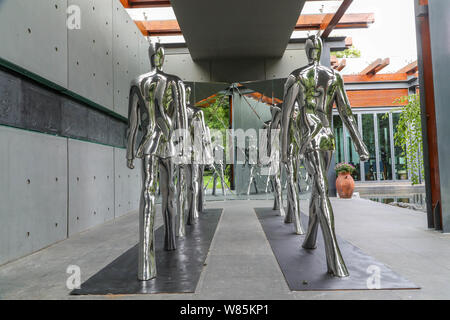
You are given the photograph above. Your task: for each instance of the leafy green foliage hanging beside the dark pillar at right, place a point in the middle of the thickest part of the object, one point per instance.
(408, 135)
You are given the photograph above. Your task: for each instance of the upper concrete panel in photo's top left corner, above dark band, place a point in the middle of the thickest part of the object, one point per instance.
(33, 35)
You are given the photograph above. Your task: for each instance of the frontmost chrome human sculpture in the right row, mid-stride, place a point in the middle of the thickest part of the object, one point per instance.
(315, 88)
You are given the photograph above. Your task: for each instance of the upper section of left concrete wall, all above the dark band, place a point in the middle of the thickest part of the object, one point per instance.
(96, 61)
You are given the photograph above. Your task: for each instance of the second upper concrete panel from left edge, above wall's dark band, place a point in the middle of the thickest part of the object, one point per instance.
(90, 56)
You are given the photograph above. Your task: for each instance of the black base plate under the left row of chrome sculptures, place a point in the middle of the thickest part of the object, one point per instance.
(178, 270)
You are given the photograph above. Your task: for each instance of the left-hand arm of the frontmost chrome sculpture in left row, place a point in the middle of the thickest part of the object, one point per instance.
(133, 124)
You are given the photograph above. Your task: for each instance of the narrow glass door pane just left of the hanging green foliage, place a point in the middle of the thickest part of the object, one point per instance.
(384, 142)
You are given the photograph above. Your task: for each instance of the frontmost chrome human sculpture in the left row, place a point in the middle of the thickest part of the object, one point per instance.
(158, 107)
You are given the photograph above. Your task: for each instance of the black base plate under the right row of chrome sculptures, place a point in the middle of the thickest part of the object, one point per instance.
(307, 269)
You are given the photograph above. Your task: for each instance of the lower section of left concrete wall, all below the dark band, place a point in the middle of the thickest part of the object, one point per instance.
(53, 187)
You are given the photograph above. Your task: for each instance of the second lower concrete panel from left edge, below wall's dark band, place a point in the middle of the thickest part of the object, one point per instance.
(91, 185)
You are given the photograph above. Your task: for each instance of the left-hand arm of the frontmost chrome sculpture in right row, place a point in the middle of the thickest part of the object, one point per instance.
(290, 95)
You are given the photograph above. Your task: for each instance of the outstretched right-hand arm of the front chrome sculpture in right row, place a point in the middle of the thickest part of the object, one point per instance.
(345, 112)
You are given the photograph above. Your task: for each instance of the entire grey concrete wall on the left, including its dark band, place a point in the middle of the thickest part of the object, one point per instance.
(51, 185)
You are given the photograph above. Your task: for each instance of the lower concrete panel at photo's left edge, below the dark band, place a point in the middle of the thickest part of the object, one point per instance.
(33, 192)
